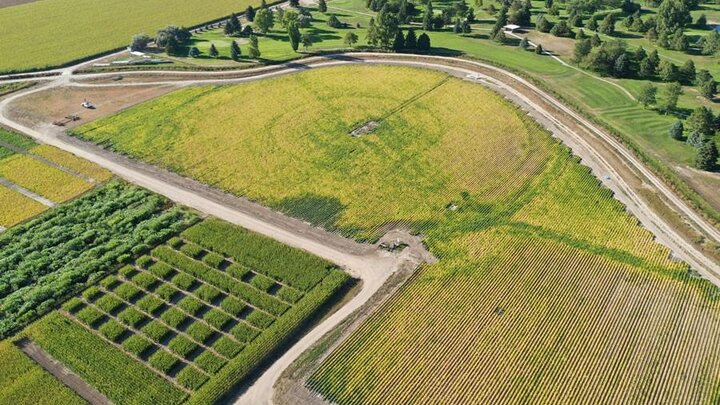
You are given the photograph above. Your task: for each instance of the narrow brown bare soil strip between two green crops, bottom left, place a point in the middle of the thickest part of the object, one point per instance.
(62, 373)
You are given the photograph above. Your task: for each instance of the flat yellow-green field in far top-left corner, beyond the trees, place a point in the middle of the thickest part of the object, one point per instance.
(75, 29)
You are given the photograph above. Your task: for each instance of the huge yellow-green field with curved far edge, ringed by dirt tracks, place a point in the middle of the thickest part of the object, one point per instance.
(546, 290)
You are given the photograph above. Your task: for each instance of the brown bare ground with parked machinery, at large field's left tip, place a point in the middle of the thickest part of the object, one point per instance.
(56, 103)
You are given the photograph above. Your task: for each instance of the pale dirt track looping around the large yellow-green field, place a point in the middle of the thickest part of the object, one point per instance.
(610, 161)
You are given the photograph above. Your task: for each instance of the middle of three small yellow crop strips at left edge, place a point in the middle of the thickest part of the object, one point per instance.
(47, 181)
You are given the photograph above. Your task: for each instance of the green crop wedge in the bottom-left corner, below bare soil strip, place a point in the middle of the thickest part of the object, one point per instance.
(25, 382)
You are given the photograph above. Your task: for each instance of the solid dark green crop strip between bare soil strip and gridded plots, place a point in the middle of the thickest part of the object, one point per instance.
(107, 368)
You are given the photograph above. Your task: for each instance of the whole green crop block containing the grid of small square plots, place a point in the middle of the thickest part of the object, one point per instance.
(190, 319)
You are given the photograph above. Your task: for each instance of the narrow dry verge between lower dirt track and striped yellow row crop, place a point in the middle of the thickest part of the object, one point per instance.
(290, 388)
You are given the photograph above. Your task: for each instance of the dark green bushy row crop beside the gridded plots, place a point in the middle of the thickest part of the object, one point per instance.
(47, 259)
